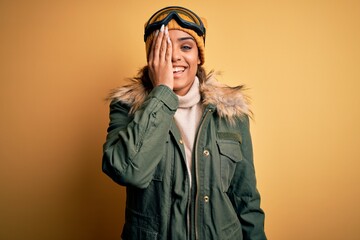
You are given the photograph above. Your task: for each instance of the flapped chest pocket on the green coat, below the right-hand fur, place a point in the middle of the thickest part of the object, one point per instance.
(230, 155)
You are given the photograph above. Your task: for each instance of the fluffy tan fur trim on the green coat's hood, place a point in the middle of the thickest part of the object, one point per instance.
(230, 102)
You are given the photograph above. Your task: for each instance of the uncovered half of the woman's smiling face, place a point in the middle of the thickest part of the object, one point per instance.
(185, 60)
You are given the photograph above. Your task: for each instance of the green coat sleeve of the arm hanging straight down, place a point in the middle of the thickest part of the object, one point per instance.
(243, 191)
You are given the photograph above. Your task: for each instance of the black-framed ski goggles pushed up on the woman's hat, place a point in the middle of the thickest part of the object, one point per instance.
(192, 22)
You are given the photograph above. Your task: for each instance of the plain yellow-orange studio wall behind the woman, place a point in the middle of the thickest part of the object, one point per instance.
(58, 60)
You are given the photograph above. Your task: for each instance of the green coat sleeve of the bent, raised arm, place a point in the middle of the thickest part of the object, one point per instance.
(134, 145)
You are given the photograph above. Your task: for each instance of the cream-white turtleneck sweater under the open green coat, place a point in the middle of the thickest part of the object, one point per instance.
(187, 118)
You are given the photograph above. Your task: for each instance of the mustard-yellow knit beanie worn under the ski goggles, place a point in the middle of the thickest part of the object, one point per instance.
(173, 25)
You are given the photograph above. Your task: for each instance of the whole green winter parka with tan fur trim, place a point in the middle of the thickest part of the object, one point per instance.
(144, 152)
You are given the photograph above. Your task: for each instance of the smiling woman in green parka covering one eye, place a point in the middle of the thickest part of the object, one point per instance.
(180, 143)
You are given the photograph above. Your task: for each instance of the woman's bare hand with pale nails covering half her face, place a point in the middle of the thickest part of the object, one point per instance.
(160, 65)
